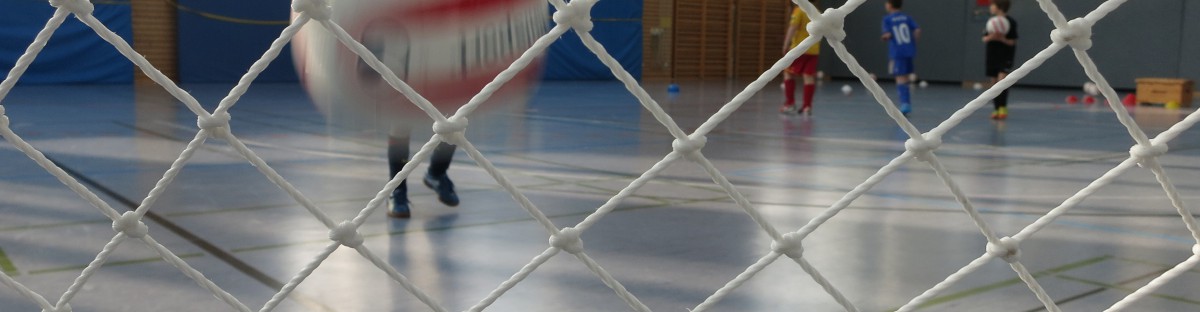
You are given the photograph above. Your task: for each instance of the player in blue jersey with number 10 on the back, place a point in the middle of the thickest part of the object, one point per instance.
(902, 33)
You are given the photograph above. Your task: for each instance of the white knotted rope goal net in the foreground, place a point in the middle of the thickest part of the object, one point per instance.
(577, 16)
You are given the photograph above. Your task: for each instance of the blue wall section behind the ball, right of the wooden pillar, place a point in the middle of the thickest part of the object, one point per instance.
(219, 40)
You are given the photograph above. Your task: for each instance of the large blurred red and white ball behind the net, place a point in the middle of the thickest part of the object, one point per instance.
(446, 50)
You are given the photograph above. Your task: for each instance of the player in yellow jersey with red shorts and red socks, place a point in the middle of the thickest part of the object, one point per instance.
(805, 67)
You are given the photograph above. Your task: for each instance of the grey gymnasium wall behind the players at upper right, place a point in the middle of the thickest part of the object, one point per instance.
(1141, 39)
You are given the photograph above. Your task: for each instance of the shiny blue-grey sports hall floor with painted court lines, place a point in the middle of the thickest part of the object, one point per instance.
(575, 146)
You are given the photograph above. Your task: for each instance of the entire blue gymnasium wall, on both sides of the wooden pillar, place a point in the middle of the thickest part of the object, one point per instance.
(219, 40)
